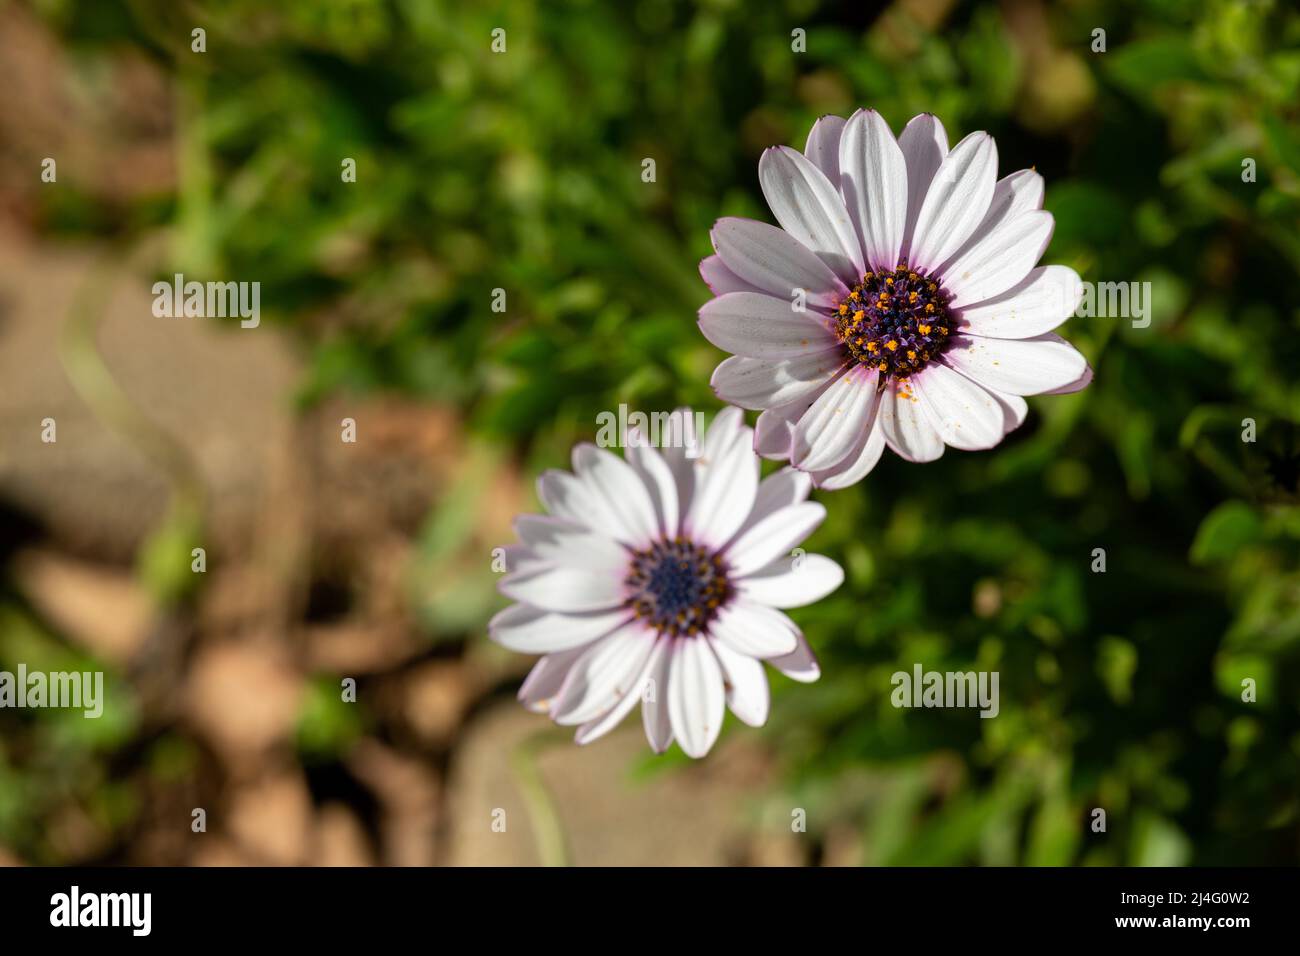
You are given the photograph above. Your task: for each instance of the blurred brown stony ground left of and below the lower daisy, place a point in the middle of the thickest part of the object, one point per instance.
(309, 573)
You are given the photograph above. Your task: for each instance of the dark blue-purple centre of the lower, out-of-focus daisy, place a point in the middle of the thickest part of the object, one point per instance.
(677, 587)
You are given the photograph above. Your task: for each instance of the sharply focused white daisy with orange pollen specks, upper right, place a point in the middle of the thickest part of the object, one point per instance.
(898, 305)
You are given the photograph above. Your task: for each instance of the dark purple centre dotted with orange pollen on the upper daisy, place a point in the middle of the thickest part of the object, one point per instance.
(895, 322)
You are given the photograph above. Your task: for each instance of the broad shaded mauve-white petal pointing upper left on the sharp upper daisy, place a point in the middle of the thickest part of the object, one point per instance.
(774, 262)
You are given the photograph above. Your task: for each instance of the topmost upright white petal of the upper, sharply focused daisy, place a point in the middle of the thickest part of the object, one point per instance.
(874, 181)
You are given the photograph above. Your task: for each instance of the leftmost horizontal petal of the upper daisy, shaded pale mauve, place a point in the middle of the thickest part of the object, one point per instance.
(762, 327)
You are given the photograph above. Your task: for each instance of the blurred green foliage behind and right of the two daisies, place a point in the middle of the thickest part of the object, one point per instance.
(522, 171)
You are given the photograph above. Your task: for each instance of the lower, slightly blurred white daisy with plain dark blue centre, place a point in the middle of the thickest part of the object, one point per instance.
(658, 581)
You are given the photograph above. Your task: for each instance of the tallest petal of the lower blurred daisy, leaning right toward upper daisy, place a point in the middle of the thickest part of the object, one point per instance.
(726, 485)
